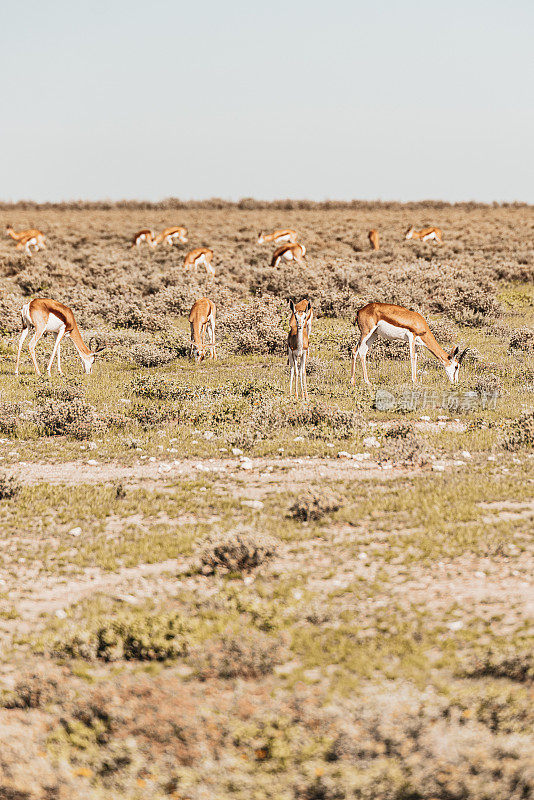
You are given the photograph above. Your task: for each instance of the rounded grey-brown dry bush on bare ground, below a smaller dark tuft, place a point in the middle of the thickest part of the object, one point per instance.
(235, 552)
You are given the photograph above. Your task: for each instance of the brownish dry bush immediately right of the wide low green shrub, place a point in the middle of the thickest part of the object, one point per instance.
(245, 654)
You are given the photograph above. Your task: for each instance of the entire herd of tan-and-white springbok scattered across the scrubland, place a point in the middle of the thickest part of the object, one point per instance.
(374, 320)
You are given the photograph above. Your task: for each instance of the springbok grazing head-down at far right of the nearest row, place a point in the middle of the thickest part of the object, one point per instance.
(398, 323)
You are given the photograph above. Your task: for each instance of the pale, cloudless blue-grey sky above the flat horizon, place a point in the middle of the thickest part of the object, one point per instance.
(378, 100)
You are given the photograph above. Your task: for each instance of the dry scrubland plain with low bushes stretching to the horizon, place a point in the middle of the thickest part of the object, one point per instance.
(209, 590)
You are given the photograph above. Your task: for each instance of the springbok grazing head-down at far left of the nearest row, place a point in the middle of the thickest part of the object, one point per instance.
(45, 315)
